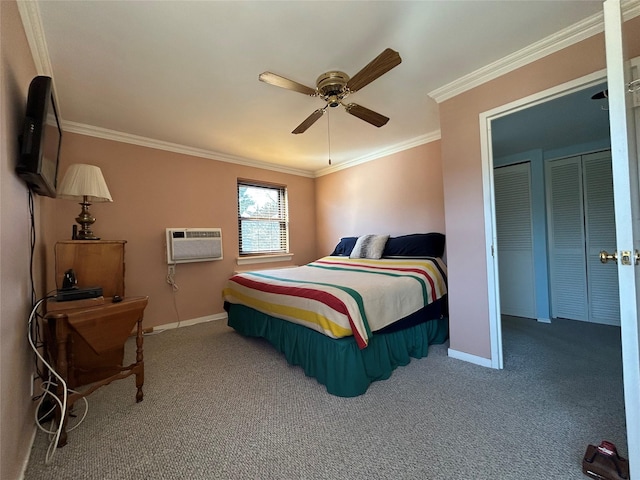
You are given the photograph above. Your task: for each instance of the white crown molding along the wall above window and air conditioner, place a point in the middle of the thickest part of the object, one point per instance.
(106, 134)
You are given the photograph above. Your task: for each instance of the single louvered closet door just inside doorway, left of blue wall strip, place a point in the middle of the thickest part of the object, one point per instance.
(512, 186)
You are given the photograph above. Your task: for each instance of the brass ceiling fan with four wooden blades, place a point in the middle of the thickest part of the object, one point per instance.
(334, 86)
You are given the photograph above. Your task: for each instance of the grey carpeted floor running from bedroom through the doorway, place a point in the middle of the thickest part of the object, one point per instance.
(220, 406)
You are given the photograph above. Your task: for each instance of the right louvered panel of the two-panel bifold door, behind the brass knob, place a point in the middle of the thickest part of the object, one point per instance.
(602, 279)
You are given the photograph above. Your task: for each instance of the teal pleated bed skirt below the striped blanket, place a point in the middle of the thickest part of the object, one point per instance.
(339, 364)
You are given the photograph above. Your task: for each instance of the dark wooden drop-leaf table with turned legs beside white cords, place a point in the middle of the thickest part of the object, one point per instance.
(86, 345)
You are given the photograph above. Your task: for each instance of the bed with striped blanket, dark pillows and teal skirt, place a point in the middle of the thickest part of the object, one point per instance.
(352, 317)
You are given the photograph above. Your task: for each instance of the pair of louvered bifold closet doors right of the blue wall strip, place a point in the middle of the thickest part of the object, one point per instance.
(580, 219)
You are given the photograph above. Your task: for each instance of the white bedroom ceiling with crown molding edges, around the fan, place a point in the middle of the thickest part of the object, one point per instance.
(184, 75)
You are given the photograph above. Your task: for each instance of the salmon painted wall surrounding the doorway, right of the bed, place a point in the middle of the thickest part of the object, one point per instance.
(462, 176)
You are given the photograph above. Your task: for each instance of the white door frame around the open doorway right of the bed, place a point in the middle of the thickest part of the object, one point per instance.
(493, 282)
